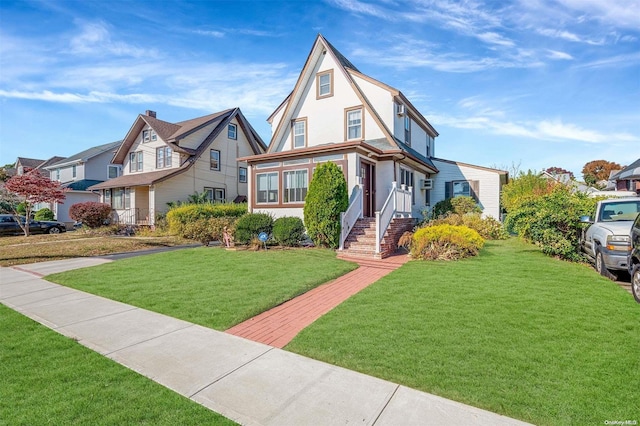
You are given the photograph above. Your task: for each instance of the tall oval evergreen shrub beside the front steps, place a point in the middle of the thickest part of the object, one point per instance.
(326, 199)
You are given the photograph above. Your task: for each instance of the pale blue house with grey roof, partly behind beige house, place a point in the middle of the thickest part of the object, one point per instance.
(79, 172)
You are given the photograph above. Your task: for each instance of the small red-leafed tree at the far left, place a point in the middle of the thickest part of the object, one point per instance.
(34, 188)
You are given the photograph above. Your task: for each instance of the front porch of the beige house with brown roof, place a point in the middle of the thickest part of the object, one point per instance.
(131, 206)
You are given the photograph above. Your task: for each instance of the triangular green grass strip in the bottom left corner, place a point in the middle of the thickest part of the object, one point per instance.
(46, 378)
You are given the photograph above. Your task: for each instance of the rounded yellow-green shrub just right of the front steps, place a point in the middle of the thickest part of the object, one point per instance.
(445, 242)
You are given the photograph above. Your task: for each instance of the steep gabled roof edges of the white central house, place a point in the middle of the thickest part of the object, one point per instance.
(348, 70)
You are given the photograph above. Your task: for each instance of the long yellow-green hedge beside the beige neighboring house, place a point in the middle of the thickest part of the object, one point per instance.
(178, 217)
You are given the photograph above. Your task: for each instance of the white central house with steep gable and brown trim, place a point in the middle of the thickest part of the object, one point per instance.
(383, 144)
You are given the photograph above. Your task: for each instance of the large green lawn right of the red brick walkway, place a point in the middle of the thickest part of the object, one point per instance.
(511, 331)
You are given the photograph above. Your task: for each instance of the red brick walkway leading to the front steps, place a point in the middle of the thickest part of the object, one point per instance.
(278, 326)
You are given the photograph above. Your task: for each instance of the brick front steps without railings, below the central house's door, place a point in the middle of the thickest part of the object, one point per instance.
(361, 242)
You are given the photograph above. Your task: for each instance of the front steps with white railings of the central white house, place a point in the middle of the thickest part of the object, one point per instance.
(375, 234)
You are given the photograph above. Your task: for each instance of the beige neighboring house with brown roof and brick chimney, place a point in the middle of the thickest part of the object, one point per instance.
(166, 162)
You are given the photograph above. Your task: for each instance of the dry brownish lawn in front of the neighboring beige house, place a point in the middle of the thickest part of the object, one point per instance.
(42, 248)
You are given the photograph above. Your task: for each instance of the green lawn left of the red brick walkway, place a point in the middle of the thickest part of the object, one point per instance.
(209, 286)
